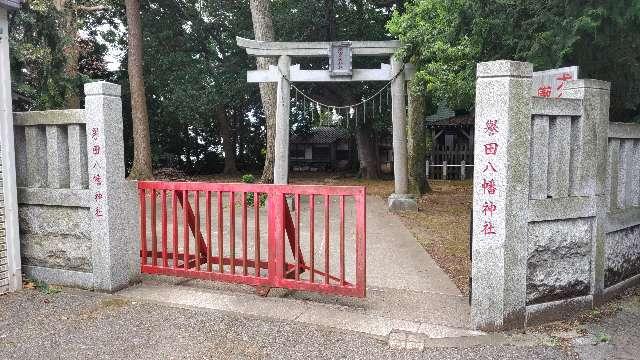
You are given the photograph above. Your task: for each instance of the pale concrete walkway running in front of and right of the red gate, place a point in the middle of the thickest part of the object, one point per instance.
(406, 292)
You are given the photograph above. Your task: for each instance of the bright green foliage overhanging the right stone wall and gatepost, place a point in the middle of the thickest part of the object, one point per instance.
(446, 38)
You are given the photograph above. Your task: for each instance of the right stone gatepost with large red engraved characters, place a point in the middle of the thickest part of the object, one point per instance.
(500, 195)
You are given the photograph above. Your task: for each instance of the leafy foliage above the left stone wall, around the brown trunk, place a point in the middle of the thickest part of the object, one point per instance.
(37, 58)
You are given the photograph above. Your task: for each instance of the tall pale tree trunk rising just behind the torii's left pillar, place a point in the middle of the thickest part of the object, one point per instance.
(263, 30)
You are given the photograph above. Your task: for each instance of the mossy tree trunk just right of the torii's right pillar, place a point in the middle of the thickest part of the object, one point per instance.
(416, 144)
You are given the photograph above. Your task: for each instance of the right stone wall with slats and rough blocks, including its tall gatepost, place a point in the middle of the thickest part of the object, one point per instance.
(557, 204)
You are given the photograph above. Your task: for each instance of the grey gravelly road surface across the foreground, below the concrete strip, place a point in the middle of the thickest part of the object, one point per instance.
(77, 324)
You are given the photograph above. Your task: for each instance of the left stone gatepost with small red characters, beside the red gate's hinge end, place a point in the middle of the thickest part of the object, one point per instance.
(113, 208)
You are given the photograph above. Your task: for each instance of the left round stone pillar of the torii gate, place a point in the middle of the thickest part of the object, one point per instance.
(281, 163)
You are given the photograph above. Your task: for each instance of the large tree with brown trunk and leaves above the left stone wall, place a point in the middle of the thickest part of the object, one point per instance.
(55, 49)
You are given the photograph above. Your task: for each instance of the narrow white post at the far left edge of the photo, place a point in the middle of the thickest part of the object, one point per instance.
(9, 203)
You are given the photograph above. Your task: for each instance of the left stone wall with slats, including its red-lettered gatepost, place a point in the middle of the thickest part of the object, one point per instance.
(77, 212)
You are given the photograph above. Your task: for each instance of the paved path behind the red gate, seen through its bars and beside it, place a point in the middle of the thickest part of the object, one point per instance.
(394, 258)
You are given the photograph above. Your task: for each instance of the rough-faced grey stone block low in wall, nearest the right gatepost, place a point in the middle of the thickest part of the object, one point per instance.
(559, 262)
